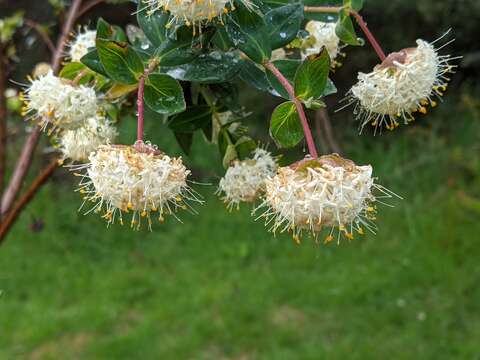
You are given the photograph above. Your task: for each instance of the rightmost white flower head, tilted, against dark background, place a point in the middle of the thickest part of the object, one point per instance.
(404, 83)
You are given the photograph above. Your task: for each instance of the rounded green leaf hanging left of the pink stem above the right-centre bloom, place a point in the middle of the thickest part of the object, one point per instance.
(285, 126)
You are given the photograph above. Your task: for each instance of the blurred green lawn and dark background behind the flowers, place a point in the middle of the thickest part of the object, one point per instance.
(218, 286)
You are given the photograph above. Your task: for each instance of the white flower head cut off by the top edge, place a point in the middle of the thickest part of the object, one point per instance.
(192, 11)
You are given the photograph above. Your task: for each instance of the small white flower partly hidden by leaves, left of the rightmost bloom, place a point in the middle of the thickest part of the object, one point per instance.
(322, 35)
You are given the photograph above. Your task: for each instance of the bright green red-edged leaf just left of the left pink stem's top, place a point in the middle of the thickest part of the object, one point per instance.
(120, 61)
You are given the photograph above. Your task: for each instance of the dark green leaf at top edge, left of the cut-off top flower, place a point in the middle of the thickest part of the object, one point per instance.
(153, 25)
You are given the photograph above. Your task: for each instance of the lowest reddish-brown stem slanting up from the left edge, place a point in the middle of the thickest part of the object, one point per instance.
(24, 200)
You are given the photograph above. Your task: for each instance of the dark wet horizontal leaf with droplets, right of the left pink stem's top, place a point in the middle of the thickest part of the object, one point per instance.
(208, 68)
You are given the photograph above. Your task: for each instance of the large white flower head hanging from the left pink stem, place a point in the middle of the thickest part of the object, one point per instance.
(137, 179)
